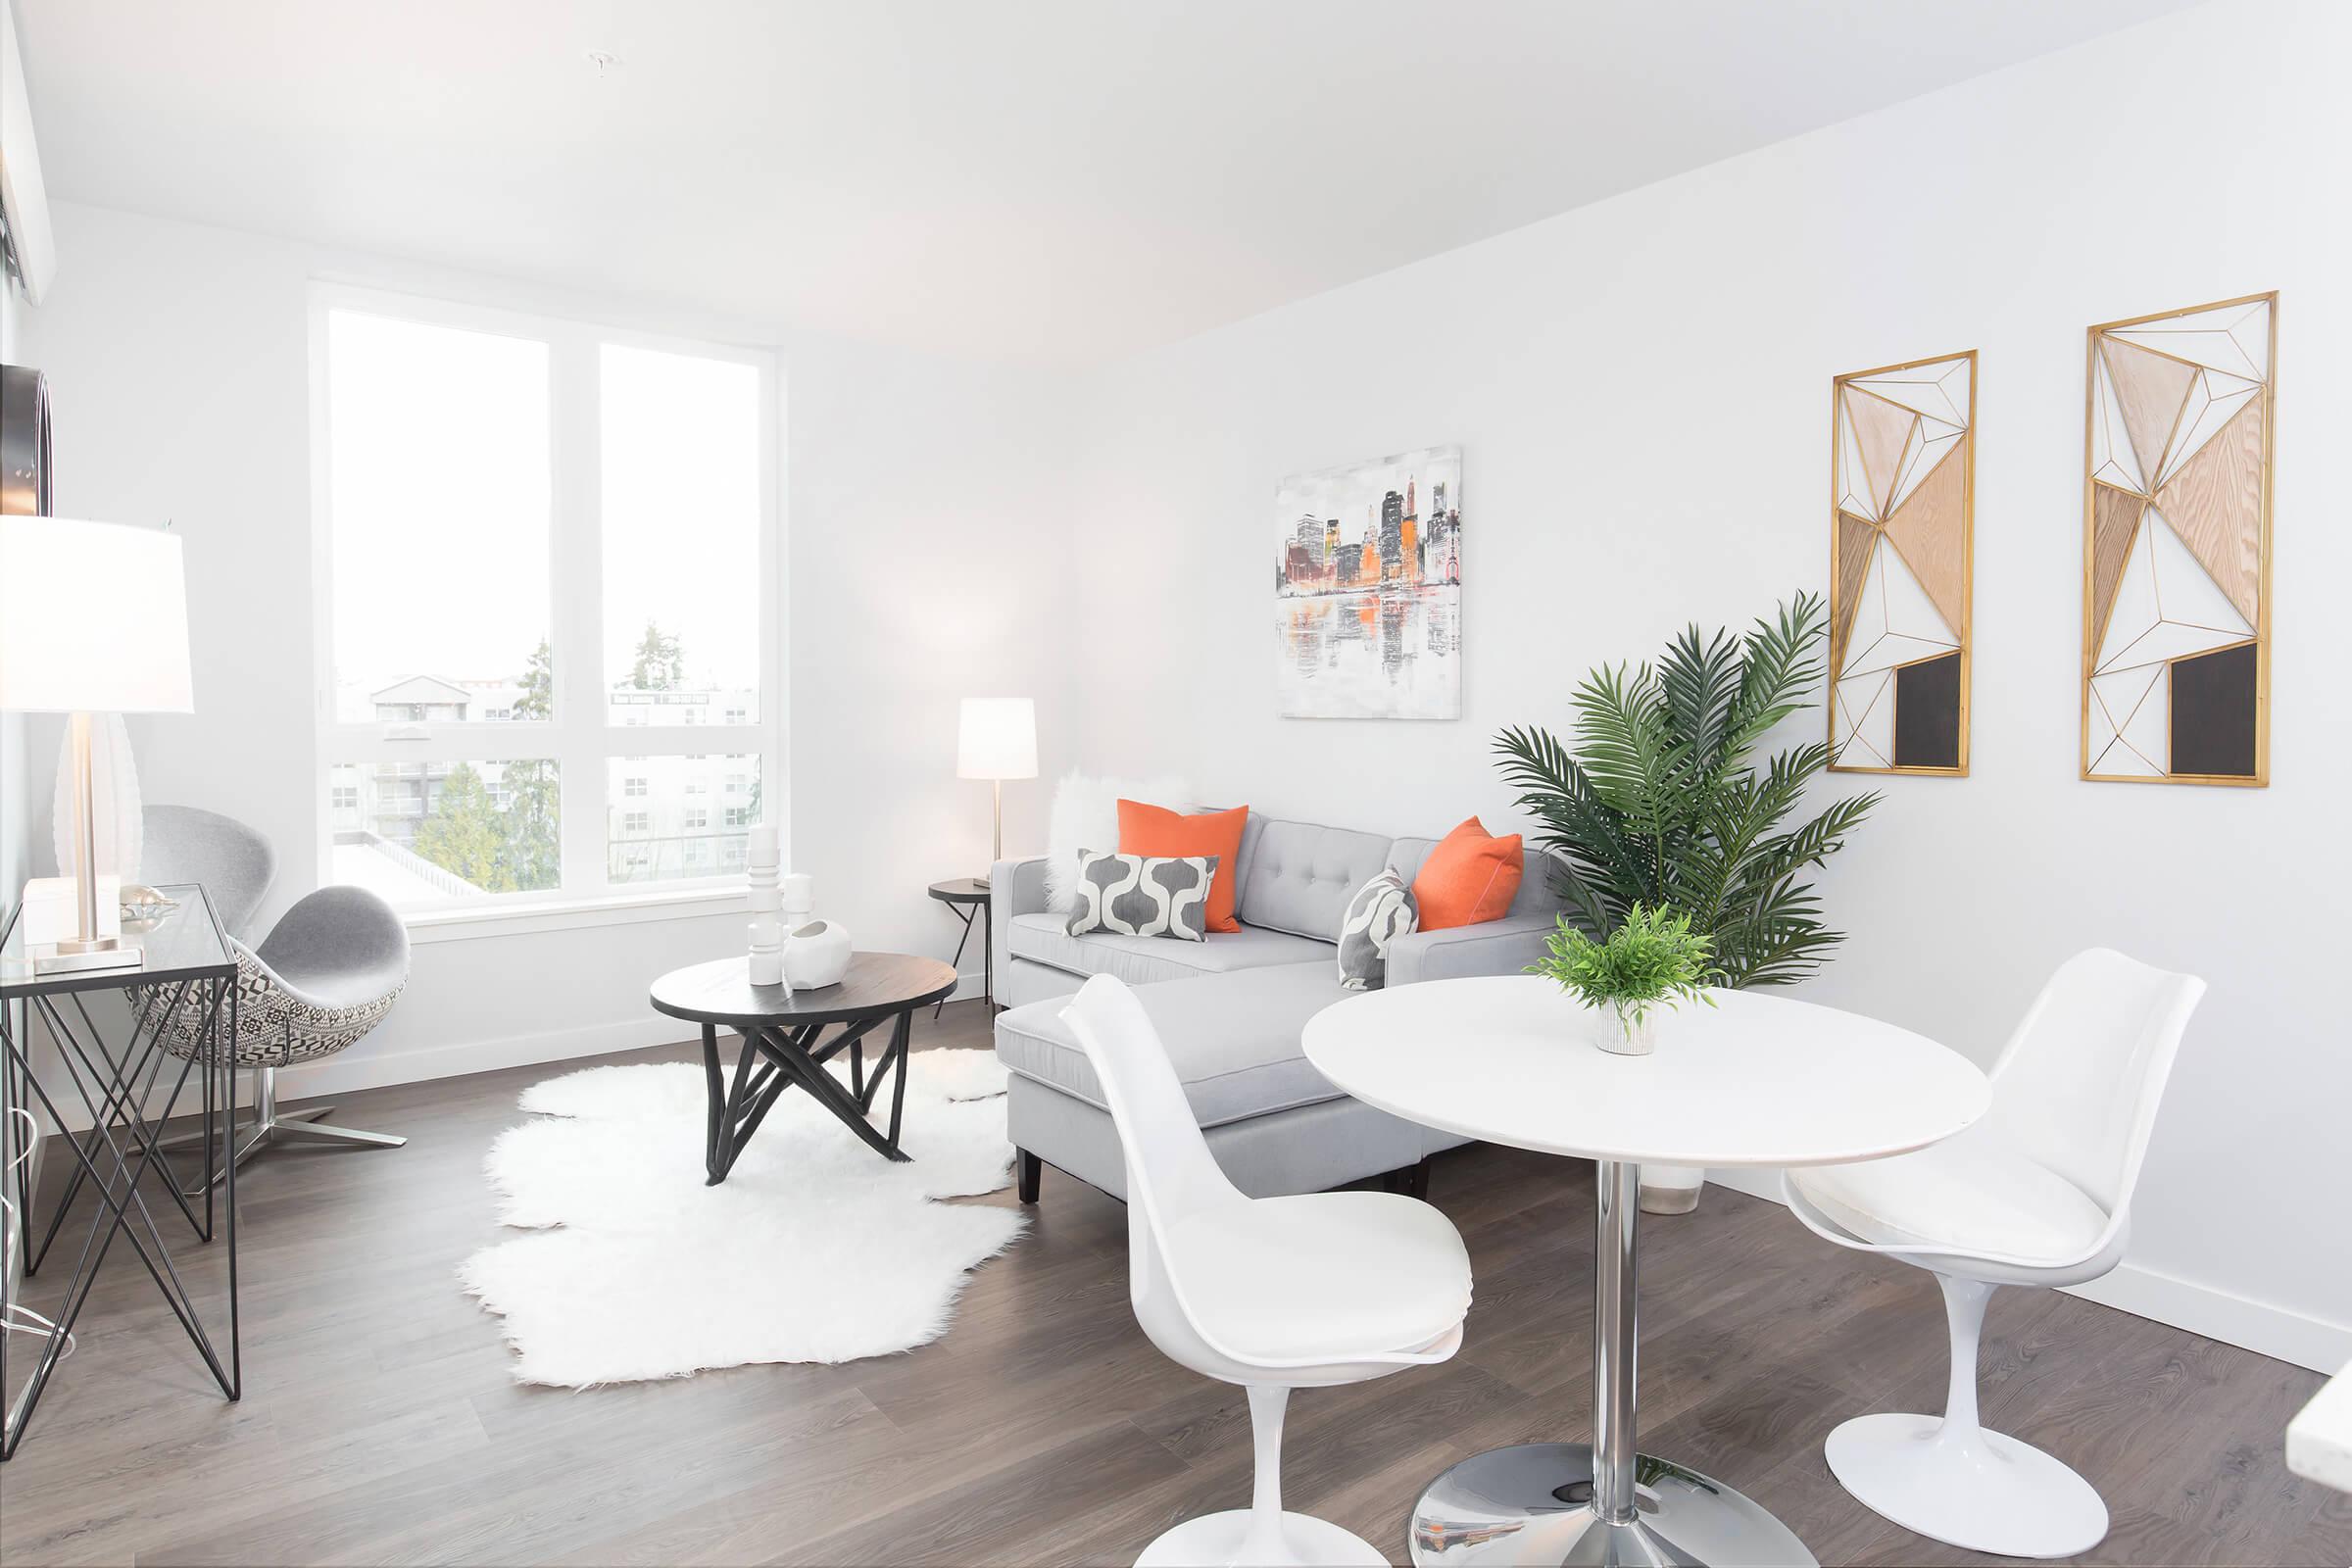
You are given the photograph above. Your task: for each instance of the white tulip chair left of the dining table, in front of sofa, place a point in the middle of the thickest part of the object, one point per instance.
(1269, 1294)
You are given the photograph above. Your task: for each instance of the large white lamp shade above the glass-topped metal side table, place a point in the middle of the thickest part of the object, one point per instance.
(93, 619)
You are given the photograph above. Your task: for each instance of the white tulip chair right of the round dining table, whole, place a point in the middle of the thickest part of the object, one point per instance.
(2033, 1195)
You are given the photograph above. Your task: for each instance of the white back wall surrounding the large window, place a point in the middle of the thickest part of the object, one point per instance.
(921, 518)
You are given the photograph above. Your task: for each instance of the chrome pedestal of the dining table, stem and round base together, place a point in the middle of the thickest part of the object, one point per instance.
(1603, 1503)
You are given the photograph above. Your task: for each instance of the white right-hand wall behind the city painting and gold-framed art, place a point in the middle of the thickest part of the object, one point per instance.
(1643, 398)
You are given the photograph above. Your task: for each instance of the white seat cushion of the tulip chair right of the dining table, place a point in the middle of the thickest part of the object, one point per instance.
(1972, 1193)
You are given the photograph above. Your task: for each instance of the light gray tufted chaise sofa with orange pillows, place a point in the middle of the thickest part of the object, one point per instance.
(1231, 1012)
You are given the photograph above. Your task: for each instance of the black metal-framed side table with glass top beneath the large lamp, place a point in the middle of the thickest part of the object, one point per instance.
(185, 965)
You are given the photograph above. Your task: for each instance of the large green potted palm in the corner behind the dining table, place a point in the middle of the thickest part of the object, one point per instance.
(1662, 800)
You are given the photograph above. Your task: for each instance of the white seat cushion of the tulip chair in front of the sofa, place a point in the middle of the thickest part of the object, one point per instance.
(1321, 1278)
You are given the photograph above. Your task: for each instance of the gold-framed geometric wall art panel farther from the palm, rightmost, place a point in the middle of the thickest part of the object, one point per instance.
(2177, 547)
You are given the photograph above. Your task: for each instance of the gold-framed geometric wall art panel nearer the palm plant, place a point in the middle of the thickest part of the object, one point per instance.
(1902, 561)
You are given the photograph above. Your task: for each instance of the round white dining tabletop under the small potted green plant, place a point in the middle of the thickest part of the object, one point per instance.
(1746, 1083)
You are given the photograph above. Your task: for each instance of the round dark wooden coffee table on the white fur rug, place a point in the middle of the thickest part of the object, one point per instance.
(784, 1043)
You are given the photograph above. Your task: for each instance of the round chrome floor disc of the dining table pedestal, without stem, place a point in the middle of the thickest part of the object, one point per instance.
(1535, 1506)
